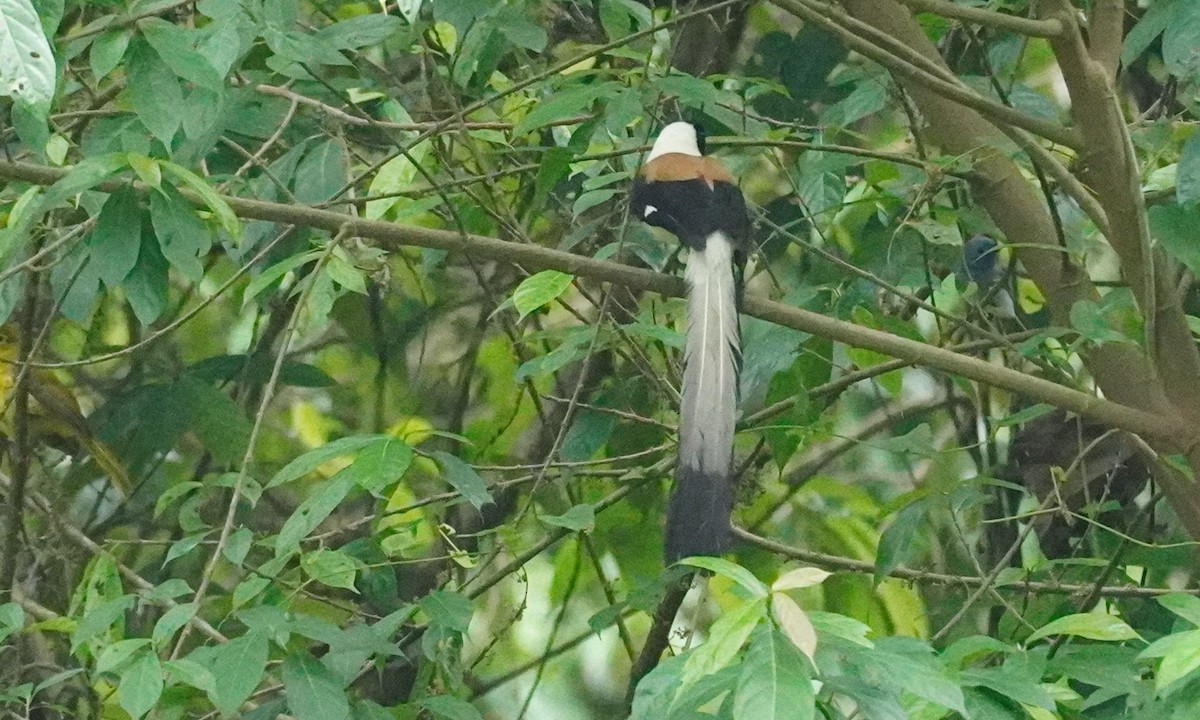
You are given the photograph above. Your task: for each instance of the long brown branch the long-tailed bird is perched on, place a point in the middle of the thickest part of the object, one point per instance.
(1163, 428)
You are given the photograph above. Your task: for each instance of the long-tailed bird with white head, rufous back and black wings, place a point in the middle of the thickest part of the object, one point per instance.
(694, 197)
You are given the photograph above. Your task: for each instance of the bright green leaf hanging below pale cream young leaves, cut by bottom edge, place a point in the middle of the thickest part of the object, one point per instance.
(775, 683)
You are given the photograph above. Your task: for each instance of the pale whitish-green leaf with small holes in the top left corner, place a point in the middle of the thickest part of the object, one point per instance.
(28, 71)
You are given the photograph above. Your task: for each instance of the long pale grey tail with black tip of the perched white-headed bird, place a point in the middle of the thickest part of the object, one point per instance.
(699, 514)
